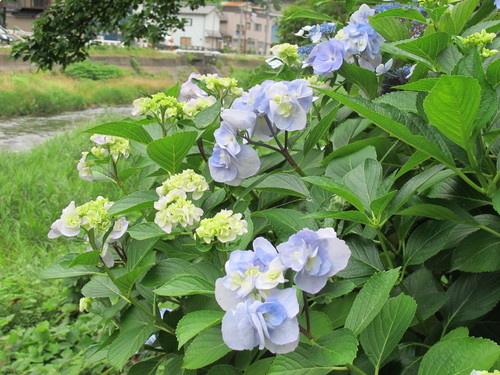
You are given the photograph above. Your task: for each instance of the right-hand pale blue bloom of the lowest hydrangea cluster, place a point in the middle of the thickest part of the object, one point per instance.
(315, 256)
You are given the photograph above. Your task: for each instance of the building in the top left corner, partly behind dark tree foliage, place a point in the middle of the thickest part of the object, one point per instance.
(20, 14)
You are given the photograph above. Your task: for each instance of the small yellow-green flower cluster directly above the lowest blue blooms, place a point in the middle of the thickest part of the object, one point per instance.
(225, 226)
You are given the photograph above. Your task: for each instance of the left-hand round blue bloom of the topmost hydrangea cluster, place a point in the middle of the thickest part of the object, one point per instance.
(327, 57)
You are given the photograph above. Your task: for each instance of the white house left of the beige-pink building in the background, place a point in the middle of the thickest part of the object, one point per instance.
(202, 29)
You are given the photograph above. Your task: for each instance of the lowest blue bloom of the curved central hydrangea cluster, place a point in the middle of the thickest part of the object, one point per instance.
(230, 168)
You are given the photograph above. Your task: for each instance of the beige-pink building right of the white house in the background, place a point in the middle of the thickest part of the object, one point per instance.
(248, 28)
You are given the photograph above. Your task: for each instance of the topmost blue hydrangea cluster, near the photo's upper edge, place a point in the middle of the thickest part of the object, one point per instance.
(356, 42)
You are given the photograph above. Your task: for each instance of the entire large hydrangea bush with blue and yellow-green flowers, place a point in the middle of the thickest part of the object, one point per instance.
(340, 215)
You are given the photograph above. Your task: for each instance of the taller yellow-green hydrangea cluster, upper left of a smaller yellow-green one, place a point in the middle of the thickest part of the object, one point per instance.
(173, 206)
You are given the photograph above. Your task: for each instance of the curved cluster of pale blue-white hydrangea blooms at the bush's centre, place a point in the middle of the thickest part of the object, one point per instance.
(261, 113)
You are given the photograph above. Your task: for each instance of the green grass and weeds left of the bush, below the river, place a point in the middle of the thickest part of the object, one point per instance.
(41, 330)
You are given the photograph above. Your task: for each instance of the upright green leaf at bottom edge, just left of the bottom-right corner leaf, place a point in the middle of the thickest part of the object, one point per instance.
(380, 338)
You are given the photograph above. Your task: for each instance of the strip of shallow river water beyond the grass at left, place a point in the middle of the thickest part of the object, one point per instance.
(24, 132)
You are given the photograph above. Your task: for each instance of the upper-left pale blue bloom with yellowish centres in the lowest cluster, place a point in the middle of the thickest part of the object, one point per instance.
(250, 274)
